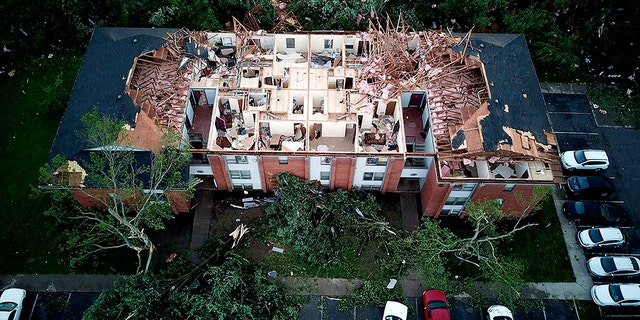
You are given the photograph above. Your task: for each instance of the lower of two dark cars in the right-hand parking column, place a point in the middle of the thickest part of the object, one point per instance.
(591, 211)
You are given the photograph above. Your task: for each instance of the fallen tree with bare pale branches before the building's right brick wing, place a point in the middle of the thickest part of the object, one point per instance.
(432, 249)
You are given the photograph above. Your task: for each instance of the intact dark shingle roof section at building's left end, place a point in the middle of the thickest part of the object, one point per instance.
(101, 82)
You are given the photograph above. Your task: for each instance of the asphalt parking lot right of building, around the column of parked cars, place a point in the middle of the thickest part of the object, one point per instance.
(575, 124)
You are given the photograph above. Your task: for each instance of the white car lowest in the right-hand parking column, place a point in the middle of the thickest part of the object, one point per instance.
(616, 294)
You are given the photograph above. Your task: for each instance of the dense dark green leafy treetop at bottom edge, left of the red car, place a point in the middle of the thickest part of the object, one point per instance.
(223, 286)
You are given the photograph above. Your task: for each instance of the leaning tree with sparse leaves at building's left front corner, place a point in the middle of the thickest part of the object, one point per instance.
(127, 187)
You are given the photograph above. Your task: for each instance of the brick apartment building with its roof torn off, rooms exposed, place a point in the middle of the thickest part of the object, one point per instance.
(452, 117)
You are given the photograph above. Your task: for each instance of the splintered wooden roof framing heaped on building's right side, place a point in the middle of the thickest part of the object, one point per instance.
(401, 59)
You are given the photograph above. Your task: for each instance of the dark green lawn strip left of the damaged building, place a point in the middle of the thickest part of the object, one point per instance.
(28, 237)
